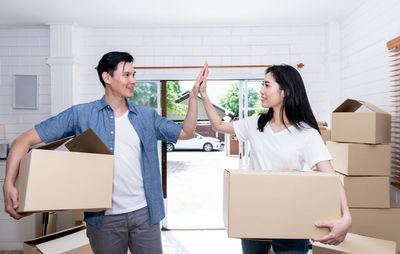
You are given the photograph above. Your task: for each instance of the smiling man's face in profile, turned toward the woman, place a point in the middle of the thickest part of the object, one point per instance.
(123, 80)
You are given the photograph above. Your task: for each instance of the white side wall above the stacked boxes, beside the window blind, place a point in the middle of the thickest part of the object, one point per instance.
(364, 57)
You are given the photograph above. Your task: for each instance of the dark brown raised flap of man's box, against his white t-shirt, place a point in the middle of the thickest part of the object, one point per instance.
(88, 142)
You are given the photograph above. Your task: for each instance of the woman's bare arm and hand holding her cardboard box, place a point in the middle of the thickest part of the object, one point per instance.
(338, 228)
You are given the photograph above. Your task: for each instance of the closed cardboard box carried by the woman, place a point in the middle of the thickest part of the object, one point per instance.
(267, 205)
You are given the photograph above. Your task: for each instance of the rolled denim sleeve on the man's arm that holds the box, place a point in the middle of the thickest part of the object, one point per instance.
(57, 127)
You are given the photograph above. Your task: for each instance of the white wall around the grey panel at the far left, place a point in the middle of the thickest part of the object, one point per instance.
(22, 51)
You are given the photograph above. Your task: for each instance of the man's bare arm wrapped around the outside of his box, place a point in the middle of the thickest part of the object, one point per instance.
(19, 148)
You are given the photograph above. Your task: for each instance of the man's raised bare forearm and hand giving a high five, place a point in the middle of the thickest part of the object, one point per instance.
(189, 124)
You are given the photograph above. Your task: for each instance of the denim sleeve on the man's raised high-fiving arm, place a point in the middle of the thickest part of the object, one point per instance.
(166, 130)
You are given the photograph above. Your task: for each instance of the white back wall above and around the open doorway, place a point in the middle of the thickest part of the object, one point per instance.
(183, 46)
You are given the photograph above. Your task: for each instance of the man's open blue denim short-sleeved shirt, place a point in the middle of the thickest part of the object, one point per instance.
(99, 116)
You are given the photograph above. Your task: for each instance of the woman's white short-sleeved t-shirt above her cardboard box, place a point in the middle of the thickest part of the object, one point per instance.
(286, 150)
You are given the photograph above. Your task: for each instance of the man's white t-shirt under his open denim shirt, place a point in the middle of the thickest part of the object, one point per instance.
(128, 192)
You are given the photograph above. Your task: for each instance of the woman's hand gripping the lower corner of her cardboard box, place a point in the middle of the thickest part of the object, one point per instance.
(338, 230)
